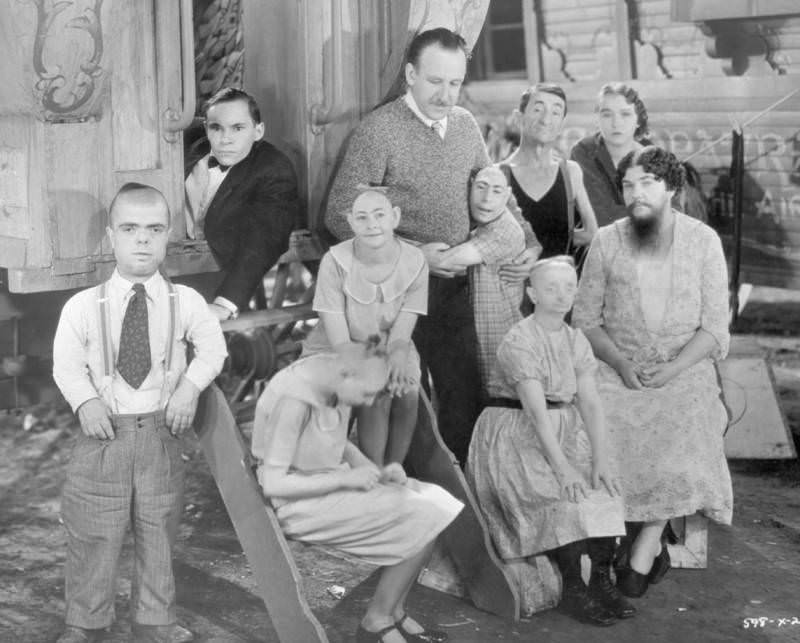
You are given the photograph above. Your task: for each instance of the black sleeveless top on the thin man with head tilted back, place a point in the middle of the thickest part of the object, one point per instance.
(547, 216)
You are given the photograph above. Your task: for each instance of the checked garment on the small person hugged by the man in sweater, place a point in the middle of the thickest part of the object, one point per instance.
(495, 304)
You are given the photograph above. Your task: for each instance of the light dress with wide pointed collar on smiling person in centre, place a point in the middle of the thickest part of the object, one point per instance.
(369, 308)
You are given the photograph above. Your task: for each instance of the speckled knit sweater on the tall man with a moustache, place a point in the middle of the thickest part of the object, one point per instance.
(426, 176)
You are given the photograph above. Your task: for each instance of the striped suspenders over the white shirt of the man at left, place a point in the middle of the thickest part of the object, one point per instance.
(109, 363)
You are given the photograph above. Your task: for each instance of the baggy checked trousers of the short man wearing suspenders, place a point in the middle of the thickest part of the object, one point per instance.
(134, 480)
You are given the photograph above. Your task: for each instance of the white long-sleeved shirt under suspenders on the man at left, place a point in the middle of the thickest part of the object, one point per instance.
(78, 349)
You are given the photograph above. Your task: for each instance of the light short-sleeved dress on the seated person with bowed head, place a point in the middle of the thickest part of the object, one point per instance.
(383, 526)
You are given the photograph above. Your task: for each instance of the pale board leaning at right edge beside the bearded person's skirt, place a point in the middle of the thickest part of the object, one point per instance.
(758, 426)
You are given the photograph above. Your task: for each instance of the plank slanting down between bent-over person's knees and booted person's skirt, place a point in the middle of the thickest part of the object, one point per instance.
(466, 540)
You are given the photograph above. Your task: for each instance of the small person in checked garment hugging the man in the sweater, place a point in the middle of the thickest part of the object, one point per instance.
(496, 240)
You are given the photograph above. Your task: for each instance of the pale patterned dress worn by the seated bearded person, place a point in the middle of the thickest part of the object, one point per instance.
(668, 440)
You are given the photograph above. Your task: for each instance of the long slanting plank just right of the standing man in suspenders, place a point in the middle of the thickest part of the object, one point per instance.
(279, 581)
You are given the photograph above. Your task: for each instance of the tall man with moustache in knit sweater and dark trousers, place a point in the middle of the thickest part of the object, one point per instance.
(423, 148)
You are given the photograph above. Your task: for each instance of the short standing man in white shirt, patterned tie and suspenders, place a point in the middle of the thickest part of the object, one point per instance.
(119, 358)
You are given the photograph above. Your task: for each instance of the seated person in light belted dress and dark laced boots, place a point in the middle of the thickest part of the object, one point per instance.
(538, 460)
